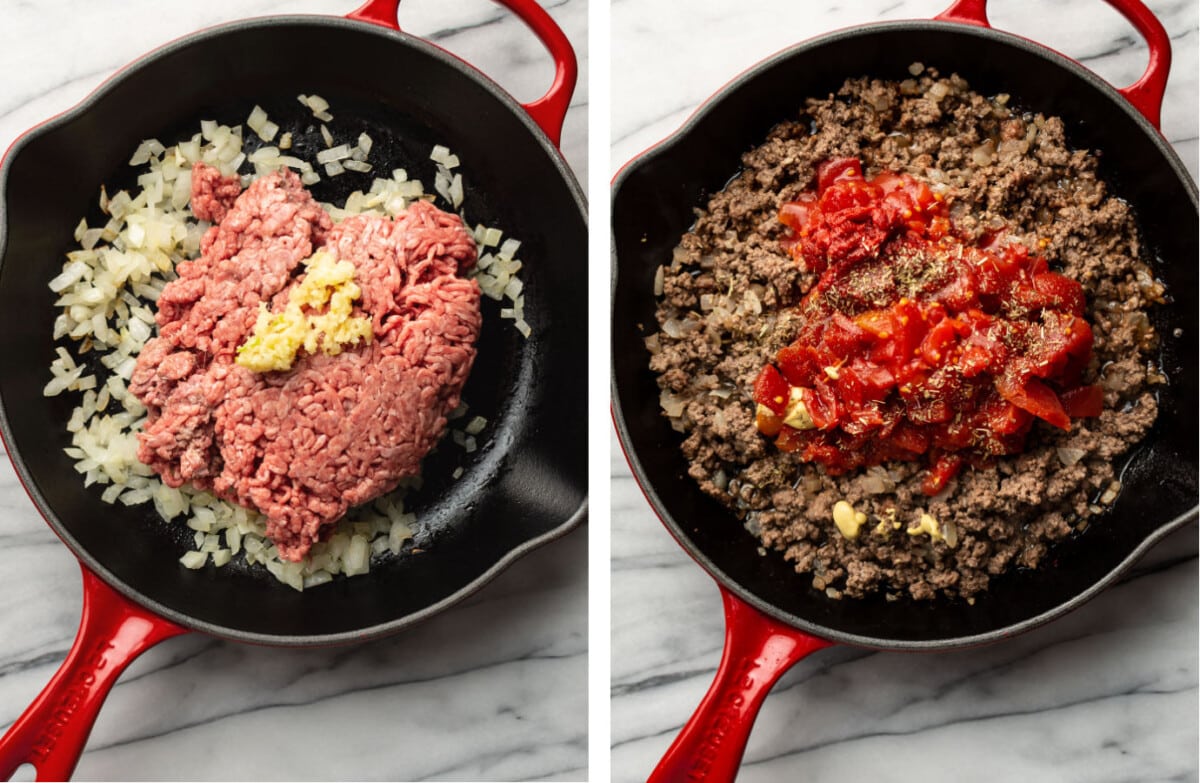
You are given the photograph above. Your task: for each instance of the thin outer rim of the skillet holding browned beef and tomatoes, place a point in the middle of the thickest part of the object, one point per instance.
(679, 531)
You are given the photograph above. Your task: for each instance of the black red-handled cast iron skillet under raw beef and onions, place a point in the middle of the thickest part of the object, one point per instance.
(526, 486)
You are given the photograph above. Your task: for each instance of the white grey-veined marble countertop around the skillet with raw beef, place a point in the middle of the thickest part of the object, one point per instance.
(493, 690)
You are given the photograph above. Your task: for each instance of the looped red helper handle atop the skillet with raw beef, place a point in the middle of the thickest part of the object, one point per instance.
(550, 110)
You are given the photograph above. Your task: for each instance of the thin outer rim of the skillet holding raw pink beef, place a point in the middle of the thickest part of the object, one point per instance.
(202, 38)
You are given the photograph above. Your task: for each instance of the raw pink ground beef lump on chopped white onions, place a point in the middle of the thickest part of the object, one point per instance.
(334, 432)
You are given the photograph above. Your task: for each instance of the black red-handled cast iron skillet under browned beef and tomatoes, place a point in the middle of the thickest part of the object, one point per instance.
(773, 617)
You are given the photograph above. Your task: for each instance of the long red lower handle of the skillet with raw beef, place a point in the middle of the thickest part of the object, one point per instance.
(52, 733)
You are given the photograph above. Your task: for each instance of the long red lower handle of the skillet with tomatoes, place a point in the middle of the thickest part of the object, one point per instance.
(758, 651)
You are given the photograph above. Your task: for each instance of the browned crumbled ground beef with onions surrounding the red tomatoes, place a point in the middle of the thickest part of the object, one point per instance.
(727, 306)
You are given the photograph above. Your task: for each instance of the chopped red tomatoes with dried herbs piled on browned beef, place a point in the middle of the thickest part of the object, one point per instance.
(916, 345)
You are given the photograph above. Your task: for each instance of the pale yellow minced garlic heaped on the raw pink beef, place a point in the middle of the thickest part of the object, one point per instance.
(278, 338)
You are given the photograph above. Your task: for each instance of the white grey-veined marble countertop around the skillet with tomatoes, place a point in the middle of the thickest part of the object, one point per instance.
(1108, 694)
